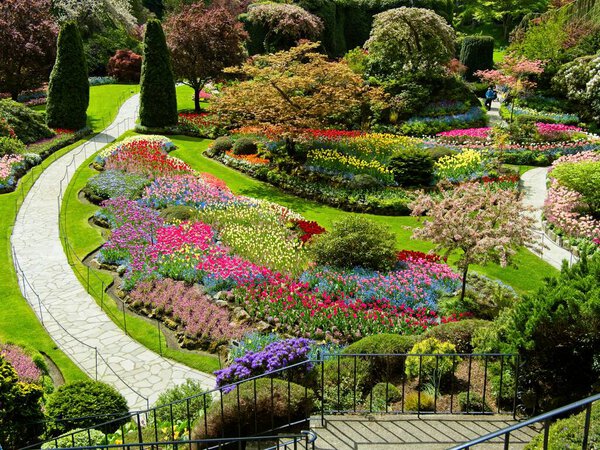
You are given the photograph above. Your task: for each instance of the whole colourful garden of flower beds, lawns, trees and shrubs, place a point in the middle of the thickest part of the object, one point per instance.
(315, 207)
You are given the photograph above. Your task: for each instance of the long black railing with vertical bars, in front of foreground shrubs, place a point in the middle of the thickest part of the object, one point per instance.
(285, 399)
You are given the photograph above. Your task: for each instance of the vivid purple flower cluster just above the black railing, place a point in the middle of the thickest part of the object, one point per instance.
(273, 357)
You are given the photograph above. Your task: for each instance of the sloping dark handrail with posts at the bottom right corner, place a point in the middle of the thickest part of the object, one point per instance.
(545, 418)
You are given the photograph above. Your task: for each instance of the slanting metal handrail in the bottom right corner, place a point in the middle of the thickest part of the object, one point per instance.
(545, 420)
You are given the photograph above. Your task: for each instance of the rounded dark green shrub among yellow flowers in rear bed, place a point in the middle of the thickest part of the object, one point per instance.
(412, 167)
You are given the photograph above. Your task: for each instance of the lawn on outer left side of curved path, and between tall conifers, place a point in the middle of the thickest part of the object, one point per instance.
(18, 322)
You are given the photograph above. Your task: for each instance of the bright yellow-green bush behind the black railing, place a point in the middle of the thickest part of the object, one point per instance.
(431, 368)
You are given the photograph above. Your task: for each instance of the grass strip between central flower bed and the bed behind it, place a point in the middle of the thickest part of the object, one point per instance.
(527, 278)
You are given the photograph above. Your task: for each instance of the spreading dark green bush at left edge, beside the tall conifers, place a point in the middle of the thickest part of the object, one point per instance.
(28, 125)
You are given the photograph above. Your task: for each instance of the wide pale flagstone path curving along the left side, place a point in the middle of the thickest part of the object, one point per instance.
(71, 316)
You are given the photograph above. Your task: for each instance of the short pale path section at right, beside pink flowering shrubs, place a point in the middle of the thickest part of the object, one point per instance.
(534, 187)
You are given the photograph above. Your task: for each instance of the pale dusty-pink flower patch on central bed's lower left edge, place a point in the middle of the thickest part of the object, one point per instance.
(197, 314)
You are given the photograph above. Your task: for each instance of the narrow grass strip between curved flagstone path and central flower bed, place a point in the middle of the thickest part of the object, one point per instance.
(83, 239)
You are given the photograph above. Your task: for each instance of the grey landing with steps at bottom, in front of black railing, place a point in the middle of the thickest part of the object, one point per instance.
(429, 432)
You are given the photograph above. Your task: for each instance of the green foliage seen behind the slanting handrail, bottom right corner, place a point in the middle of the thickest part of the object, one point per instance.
(568, 433)
